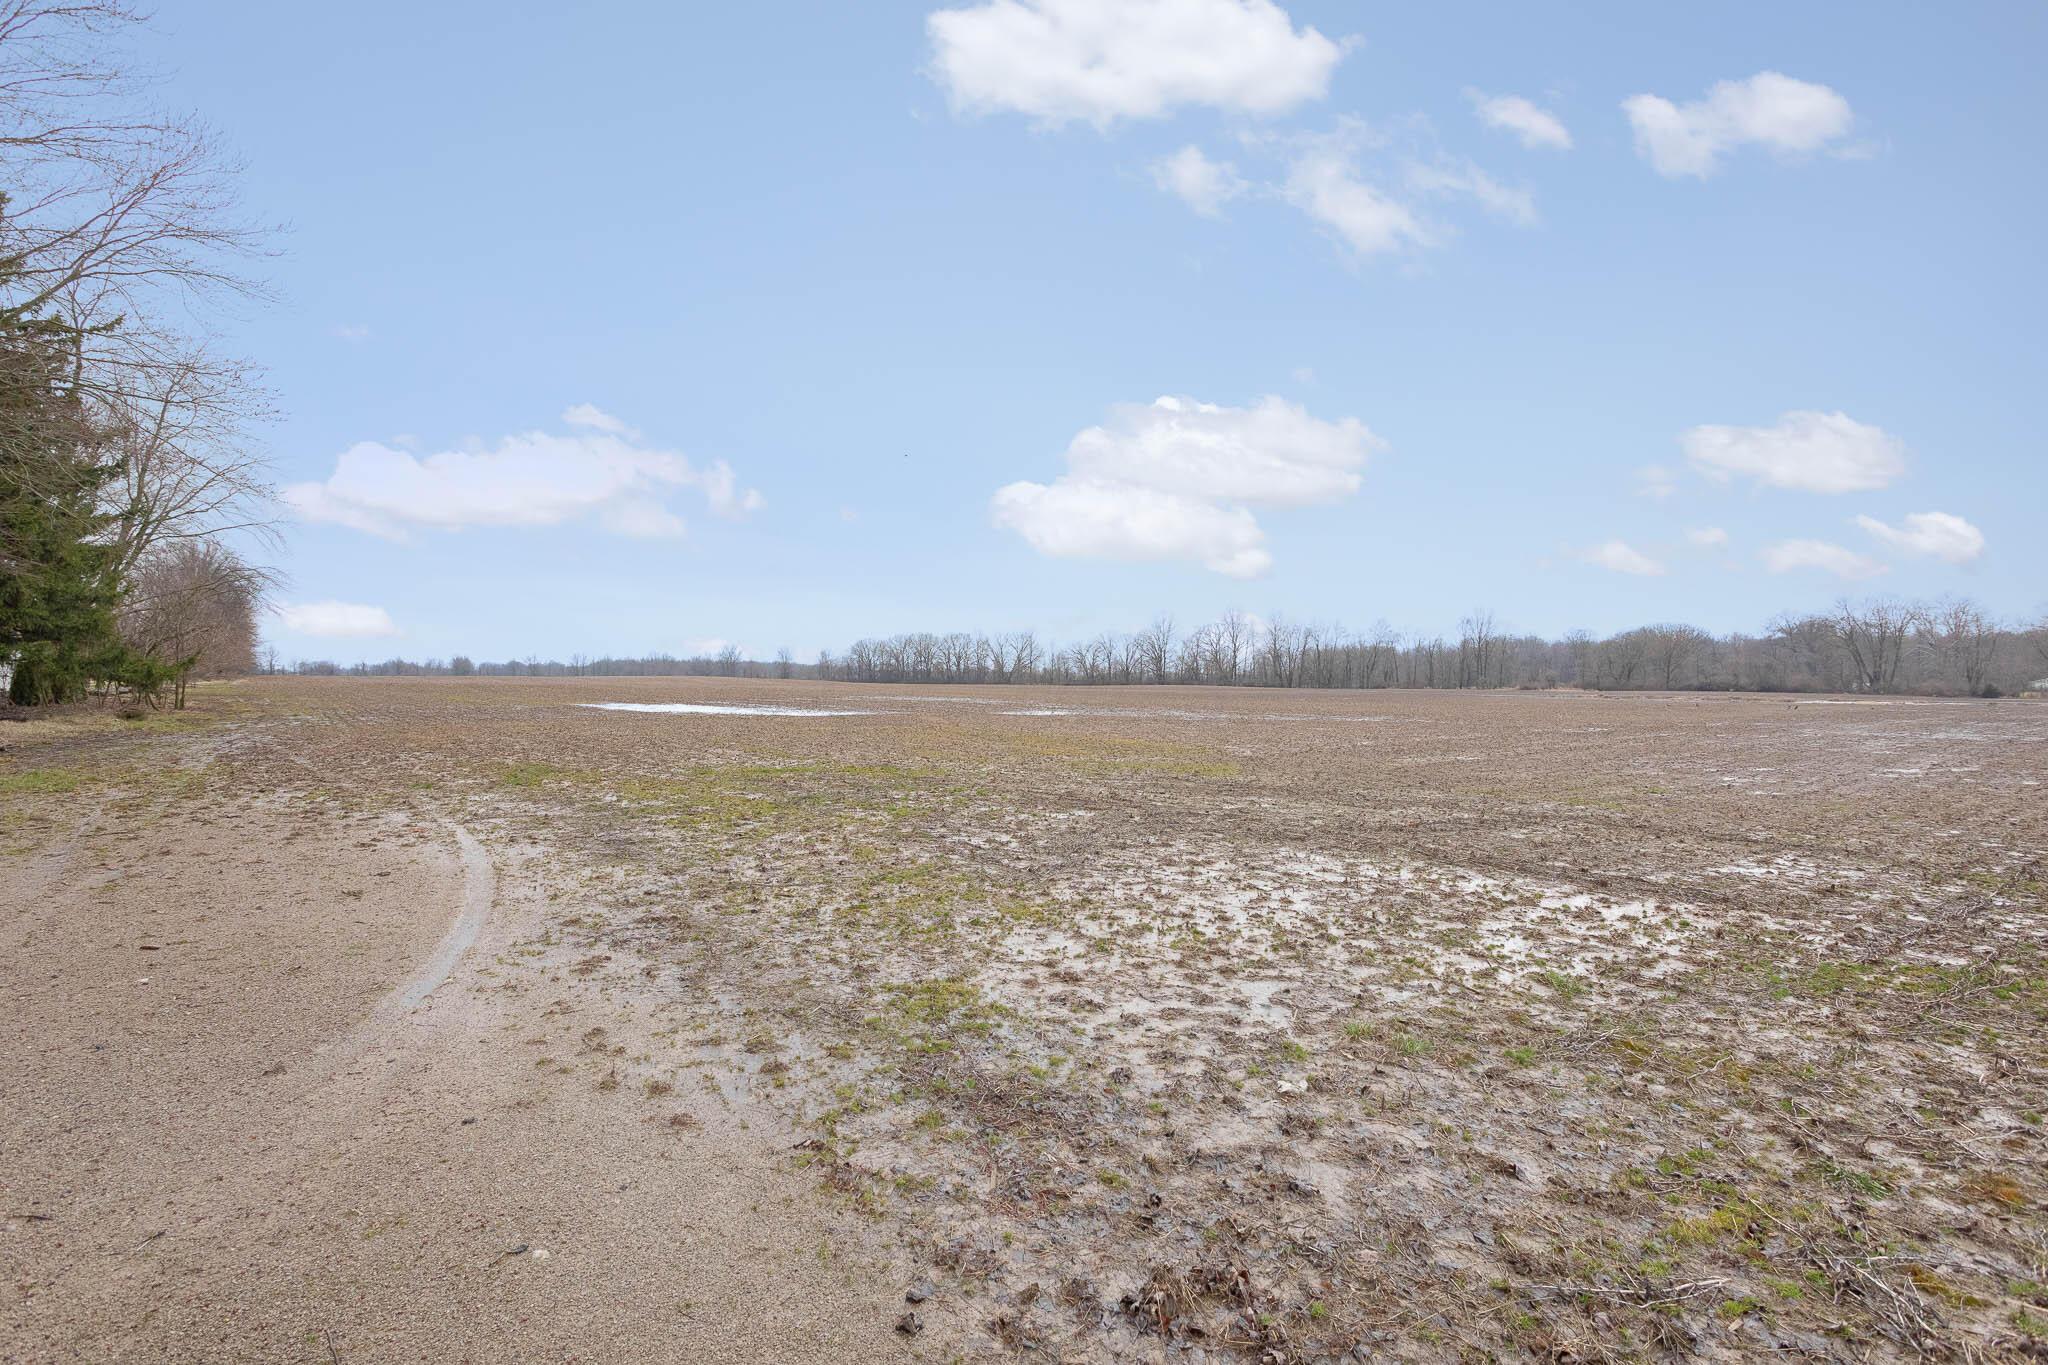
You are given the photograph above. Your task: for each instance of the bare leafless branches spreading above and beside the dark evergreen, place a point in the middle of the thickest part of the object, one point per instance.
(120, 228)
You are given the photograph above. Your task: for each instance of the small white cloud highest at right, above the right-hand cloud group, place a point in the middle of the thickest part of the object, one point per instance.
(1768, 109)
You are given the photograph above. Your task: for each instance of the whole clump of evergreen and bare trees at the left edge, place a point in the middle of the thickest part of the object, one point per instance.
(124, 455)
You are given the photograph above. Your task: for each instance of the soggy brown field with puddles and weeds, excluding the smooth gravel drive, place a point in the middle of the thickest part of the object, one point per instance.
(1222, 1024)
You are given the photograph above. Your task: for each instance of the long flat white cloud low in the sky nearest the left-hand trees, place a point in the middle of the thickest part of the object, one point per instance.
(599, 472)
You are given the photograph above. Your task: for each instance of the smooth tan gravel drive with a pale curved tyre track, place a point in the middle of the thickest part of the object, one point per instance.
(265, 1104)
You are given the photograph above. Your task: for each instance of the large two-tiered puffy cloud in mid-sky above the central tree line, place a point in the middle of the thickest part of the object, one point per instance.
(1179, 480)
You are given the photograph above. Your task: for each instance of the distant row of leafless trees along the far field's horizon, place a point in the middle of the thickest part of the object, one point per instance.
(1947, 648)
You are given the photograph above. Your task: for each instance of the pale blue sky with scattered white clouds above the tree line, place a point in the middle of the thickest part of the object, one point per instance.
(792, 324)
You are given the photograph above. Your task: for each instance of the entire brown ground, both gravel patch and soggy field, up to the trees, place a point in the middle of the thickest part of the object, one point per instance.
(1115, 1024)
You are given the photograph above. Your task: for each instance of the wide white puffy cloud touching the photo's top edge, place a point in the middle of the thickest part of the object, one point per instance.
(1107, 60)
